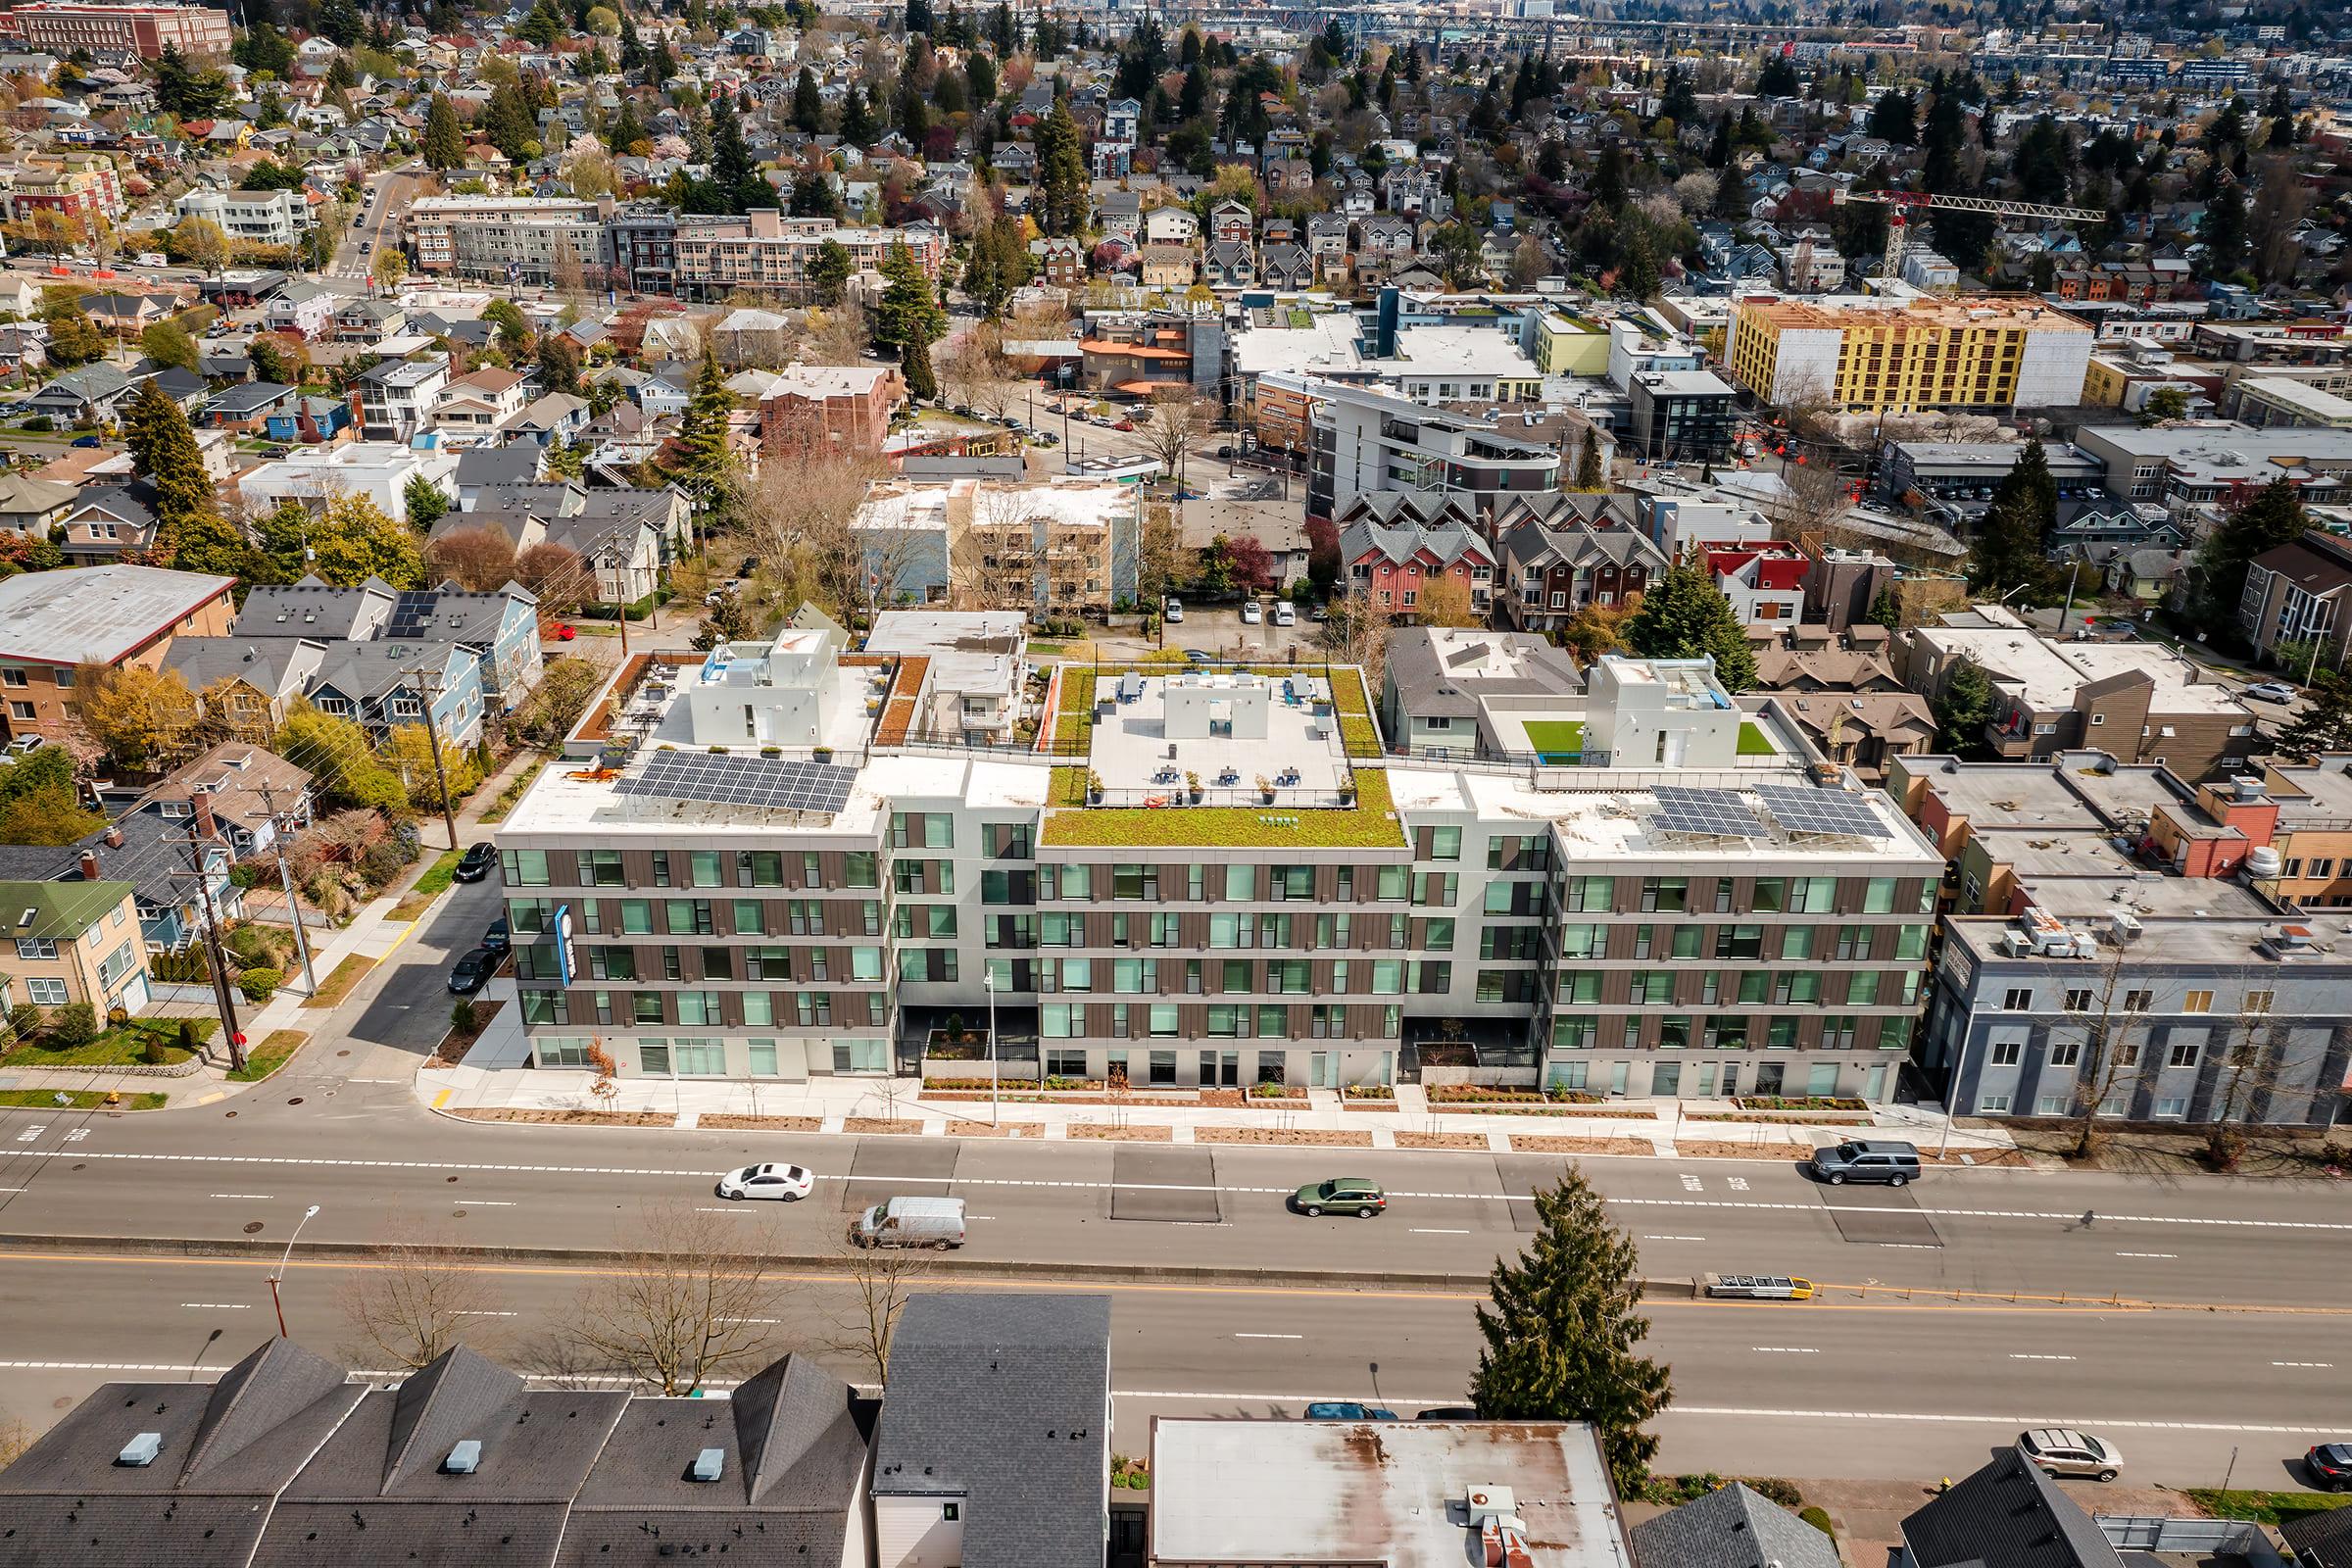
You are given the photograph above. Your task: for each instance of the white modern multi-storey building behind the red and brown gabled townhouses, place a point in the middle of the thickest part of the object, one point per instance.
(1368, 441)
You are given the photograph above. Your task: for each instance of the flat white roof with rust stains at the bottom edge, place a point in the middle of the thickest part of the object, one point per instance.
(1396, 1494)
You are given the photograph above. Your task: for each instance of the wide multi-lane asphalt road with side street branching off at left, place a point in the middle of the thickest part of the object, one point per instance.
(1859, 1386)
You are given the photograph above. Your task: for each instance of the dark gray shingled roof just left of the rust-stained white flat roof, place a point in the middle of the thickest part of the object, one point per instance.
(1003, 1400)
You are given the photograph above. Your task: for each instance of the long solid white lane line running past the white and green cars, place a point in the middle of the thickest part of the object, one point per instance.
(1102, 1186)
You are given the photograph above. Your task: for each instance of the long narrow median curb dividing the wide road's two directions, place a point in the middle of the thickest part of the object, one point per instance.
(831, 1264)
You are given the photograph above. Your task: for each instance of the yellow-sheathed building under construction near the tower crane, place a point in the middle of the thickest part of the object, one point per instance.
(1920, 354)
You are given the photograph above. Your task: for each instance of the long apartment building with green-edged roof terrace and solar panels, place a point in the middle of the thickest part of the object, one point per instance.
(1210, 878)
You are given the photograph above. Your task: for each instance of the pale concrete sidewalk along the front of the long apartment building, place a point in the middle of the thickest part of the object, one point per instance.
(497, 1078)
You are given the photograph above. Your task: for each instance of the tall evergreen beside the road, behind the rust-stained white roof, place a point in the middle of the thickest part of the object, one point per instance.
(1563, 1332)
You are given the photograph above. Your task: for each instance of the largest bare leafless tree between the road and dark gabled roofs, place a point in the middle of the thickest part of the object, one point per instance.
(690, 1299)
